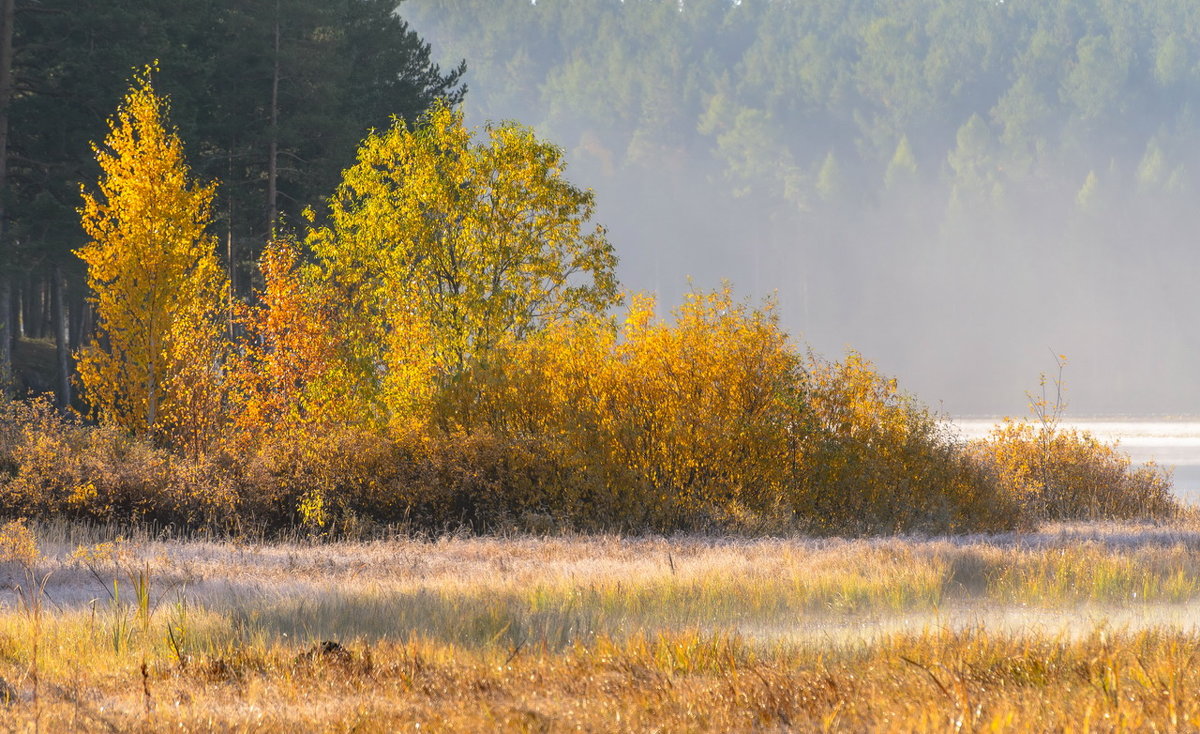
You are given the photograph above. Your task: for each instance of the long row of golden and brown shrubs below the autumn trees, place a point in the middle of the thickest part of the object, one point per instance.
(709, 420)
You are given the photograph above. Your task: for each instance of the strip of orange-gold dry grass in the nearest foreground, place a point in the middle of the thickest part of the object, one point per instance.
(937, 679)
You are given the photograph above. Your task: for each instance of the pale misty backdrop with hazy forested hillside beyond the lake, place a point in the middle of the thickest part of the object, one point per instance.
(1017, 228)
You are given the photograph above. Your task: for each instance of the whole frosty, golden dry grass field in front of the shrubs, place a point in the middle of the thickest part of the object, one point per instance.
(1075, 628)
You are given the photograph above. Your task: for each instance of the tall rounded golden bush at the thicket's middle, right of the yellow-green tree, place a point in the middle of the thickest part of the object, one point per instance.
(712, 407)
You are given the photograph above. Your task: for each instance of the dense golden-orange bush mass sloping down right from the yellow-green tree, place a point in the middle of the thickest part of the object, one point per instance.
(713, 419)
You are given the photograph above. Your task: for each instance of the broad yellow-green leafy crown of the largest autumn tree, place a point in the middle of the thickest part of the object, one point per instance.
(437, 239)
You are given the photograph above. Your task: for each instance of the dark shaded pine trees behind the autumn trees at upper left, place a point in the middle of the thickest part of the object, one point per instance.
(273, 97)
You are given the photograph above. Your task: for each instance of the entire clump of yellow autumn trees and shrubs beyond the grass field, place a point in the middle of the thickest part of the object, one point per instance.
(439, 348)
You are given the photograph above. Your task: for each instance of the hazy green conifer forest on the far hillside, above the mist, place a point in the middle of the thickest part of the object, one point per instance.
(814, 104)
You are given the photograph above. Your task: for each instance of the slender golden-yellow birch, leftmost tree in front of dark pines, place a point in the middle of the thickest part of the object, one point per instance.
(155, 281)
